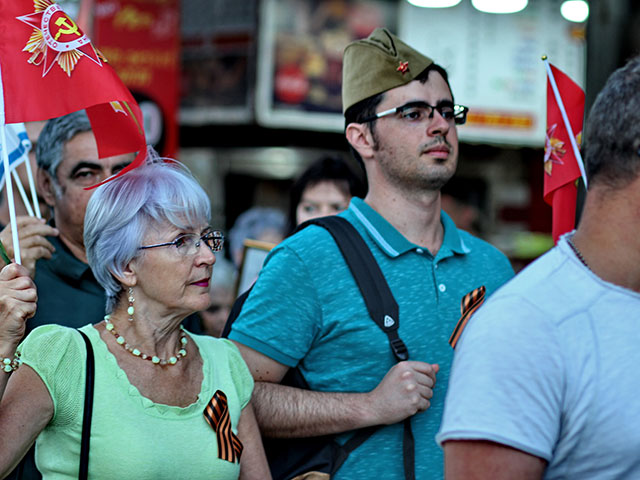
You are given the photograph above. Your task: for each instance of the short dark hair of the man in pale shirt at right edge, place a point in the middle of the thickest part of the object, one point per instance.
(612, 134)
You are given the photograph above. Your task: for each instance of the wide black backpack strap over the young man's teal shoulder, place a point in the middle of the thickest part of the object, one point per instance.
(382, 307)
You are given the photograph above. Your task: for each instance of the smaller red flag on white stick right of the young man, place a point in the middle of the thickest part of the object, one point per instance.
(560, 163)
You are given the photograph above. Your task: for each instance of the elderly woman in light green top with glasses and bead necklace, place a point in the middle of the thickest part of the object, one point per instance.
(166, 403)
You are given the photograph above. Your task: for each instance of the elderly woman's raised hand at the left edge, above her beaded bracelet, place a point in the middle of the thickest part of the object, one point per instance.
(18, 299)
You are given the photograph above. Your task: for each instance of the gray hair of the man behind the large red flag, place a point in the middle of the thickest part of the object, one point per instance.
(54, 136)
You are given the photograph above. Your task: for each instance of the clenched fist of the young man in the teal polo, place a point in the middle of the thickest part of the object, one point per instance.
(405, 390)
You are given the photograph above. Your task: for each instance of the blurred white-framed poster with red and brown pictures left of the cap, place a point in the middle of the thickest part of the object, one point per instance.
(300, 58)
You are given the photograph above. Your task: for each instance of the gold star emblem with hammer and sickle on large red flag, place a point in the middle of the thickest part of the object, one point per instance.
(56, 38)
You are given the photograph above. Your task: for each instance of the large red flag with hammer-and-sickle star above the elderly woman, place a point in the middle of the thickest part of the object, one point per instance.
(50, 68)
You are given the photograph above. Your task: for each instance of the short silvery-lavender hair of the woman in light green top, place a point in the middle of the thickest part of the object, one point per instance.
(120, 212)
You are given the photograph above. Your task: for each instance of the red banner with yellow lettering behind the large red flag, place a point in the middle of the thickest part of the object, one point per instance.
(141, 40)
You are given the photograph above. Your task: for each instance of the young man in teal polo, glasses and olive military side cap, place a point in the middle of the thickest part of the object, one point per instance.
(305, 309)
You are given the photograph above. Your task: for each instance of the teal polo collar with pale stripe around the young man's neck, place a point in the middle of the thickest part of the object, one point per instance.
(392, 242)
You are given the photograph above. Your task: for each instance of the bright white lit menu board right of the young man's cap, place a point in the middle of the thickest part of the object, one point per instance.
(494, 63)
